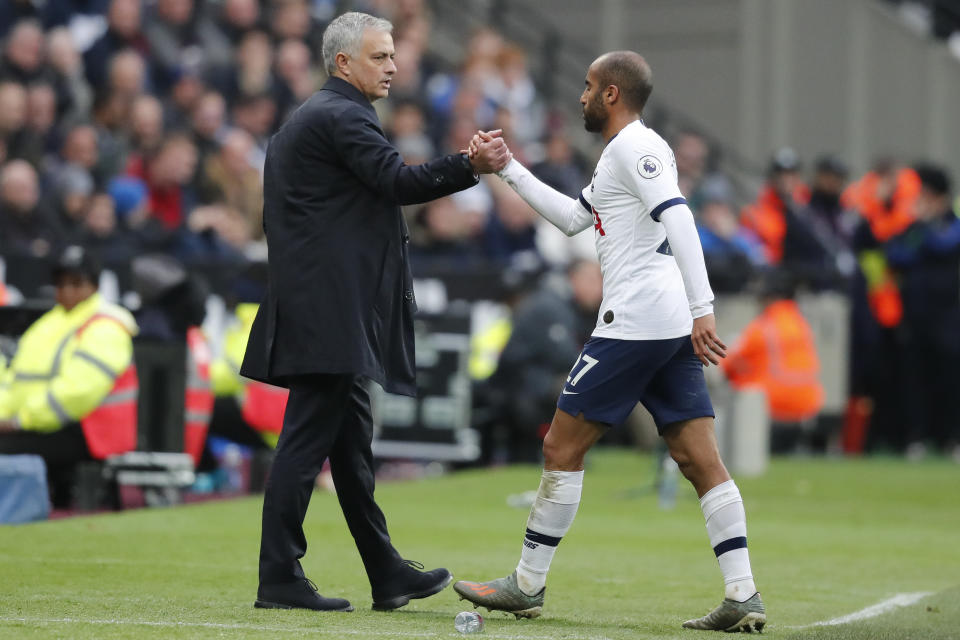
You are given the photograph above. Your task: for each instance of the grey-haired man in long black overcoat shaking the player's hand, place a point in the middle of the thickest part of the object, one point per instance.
(339, 309)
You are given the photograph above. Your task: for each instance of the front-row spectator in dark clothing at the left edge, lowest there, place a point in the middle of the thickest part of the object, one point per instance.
(27, 228)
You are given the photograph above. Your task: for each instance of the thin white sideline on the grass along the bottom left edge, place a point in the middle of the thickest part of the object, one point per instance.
(256, 627)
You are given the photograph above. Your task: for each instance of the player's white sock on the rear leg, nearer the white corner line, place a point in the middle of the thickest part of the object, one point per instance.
(727, 527)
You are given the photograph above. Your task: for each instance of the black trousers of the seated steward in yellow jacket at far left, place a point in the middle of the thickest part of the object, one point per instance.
(61, 450)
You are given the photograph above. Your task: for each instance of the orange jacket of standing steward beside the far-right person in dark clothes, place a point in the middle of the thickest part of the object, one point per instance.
(887, 218)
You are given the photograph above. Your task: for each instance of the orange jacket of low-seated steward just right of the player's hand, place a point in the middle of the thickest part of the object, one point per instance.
(777, 354)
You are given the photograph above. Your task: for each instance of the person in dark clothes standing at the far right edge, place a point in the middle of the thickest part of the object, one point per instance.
(927, 259)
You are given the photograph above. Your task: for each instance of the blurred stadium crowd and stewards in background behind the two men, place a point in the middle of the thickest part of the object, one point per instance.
(133, 128)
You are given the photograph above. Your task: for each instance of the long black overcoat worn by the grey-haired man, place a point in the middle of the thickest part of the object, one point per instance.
(340, 295)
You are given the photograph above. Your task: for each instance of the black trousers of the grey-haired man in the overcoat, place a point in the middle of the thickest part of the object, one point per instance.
(327, 416)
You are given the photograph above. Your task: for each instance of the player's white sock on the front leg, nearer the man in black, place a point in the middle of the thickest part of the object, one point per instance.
(550, 517)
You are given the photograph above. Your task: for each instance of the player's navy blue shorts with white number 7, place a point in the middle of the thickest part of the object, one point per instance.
(611, 376)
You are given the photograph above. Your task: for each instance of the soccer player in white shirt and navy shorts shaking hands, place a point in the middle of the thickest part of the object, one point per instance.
(654, 334)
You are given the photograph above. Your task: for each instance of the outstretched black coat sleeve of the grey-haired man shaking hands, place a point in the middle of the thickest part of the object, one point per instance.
(371, 157)
